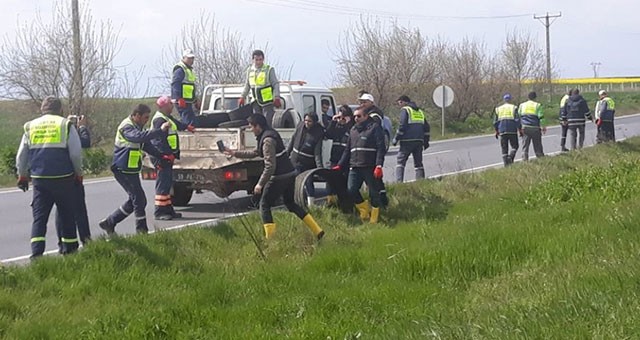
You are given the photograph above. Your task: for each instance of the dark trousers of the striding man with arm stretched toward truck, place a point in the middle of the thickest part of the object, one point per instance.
(274, 189)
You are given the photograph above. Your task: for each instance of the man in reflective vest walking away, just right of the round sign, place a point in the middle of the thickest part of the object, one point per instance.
(506, 122)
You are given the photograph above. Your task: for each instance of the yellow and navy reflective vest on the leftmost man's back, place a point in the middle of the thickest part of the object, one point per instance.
(47, 137)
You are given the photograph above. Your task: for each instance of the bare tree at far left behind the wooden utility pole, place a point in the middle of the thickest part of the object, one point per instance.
(38, 60)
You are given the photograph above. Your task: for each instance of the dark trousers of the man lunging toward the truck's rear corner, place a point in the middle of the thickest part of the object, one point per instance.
(136, 203)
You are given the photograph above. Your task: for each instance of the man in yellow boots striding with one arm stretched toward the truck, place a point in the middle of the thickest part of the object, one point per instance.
(278, 176)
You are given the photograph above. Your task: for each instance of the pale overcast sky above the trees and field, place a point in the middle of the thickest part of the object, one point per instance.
(304, 33)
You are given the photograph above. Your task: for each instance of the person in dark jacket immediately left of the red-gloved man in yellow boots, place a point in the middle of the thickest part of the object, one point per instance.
(338, 131)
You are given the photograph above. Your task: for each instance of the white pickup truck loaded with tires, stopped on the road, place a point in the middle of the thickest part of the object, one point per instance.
(203, 167)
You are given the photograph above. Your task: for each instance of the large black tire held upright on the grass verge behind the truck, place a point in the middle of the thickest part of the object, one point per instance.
(334, 179)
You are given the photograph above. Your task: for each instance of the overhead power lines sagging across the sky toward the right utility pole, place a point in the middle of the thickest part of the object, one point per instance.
(318, 6)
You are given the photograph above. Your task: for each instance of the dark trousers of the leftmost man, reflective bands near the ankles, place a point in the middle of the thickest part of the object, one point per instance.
(46, 193)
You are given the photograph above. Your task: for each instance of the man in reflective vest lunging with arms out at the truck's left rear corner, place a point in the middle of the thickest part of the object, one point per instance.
(131, 139)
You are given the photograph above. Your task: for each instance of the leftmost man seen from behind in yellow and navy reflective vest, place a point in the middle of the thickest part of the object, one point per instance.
(50, 154)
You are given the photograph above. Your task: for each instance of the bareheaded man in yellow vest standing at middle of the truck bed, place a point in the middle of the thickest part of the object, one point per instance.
(264, 86)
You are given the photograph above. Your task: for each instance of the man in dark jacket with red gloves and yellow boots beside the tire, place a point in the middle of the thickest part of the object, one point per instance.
(364, 156)
